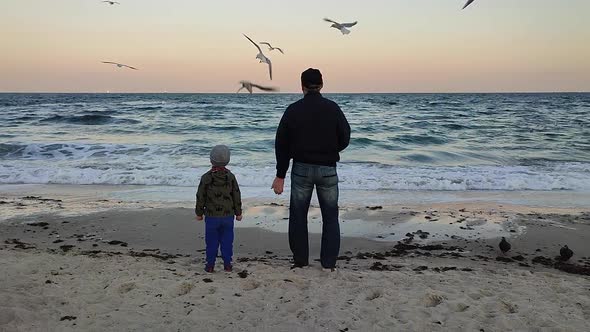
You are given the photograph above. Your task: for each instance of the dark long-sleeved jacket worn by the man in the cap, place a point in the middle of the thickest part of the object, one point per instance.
(312, 130)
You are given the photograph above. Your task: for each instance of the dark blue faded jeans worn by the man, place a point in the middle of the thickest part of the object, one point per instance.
(304, 177)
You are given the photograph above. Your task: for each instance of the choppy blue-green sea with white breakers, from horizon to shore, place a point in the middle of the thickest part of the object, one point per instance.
(401, 143)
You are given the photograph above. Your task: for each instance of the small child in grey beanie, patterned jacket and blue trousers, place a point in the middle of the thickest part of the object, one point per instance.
(219, 199)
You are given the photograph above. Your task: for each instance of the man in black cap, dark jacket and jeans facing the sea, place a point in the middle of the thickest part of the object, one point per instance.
(312, 131)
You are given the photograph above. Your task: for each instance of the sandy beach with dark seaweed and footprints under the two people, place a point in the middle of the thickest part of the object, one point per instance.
(139, 267)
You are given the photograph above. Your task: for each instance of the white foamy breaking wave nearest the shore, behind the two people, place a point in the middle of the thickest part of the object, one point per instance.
(355, 176)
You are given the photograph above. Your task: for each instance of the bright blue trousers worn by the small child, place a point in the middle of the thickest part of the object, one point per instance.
(219, 234)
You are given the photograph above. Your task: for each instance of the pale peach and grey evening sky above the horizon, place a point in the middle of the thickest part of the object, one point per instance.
(197, 46)
